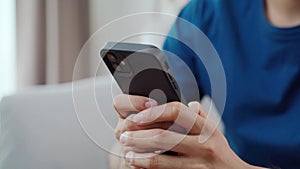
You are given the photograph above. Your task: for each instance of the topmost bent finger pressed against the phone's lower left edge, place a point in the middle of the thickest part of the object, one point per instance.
(125, 104)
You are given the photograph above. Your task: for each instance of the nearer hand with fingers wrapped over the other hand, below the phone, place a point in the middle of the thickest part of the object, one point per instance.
(214, 153)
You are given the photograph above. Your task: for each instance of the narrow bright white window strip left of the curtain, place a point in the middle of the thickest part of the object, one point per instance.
(7, 47)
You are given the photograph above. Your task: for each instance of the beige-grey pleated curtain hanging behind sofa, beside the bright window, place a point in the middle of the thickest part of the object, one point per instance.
(50, 34)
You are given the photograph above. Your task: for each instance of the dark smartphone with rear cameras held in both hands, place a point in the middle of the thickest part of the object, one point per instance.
(141, 69)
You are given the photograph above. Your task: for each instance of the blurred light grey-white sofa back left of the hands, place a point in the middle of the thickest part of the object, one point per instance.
(40, 128)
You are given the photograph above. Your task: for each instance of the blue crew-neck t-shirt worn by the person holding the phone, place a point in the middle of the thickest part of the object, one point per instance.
(262, 68)
